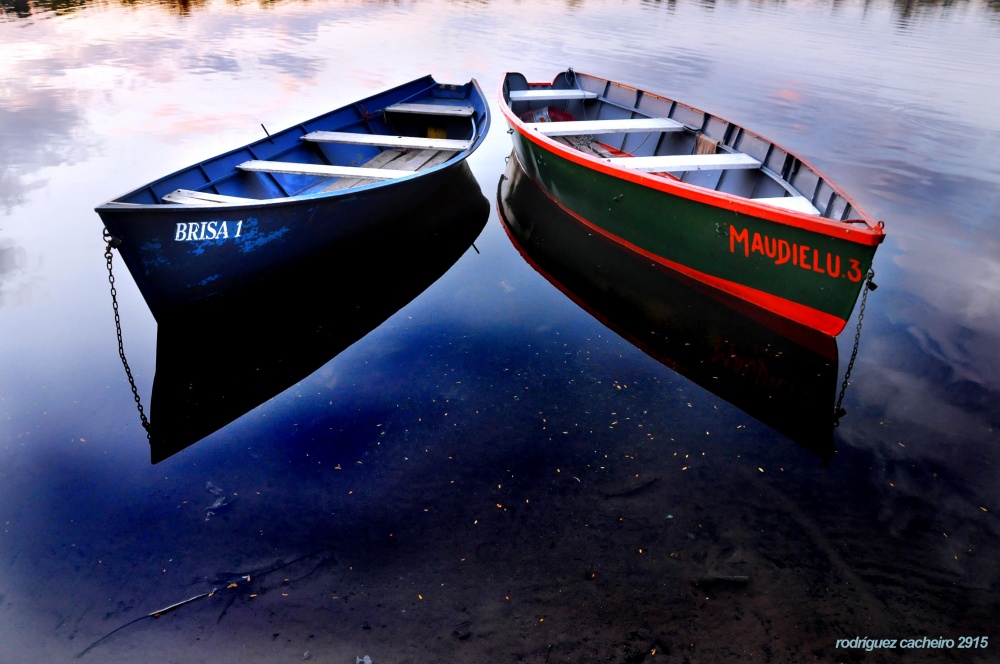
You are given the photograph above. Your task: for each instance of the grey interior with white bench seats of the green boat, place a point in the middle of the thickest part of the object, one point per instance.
(631, 128)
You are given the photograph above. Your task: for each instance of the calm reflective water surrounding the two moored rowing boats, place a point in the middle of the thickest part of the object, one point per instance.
(491, 473)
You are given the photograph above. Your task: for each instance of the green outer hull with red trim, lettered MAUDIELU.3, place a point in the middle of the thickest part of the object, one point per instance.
(810, 272)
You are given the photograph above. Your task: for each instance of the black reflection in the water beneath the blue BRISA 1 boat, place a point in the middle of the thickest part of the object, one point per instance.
(272, 336)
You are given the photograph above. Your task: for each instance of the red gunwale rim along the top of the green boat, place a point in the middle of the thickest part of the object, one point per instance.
(870, 234)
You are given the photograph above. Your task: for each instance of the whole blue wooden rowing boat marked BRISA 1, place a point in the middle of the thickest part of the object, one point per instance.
(228, 222)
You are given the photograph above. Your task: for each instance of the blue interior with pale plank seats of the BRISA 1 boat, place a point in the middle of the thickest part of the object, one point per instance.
(344, 149)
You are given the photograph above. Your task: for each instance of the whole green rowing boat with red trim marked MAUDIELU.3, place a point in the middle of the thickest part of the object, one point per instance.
(696, 193)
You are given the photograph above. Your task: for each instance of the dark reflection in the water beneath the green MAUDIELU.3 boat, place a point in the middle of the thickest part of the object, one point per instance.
(782, 374)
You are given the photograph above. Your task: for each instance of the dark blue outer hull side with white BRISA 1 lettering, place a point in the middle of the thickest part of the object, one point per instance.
(184, 256)
